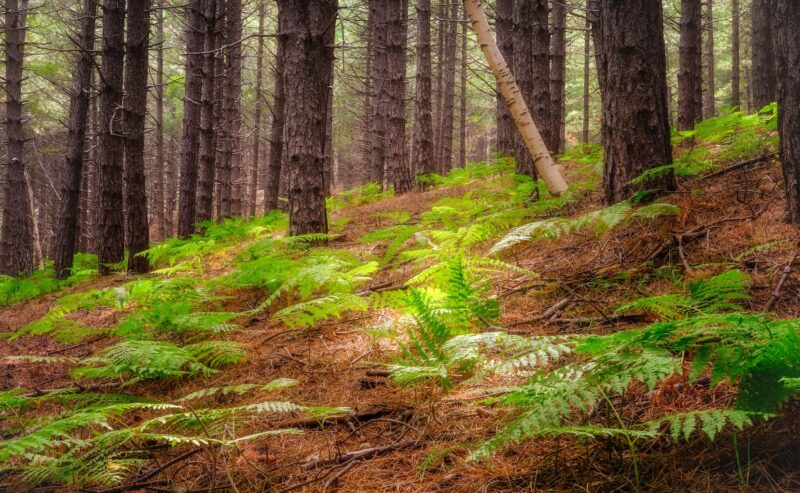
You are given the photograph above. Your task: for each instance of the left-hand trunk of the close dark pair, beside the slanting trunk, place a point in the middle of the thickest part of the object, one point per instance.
(110, 227)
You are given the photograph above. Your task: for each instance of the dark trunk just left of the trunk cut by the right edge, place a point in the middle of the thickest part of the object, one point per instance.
(763, 65)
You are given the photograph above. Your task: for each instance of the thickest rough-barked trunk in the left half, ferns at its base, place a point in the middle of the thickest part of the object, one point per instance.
(306, 25)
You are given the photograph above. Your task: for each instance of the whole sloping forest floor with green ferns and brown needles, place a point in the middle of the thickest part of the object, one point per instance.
(462, 338)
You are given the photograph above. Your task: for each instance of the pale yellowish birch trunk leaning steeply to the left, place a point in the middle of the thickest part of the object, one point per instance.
(545, 167)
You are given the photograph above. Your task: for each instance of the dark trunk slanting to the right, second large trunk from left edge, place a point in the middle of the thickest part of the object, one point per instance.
(67, 226)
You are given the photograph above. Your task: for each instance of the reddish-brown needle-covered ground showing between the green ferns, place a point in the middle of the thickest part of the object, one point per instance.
(399, 439)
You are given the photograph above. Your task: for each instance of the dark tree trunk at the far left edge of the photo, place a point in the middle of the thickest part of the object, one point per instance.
(16, 237)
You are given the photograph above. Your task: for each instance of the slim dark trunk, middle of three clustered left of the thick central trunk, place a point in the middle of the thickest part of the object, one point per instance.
(208, 98)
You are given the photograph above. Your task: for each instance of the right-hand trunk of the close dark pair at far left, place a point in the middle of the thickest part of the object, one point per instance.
(138, 239)
